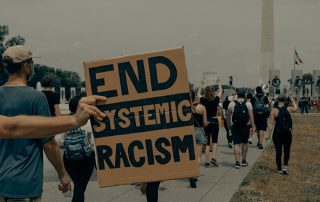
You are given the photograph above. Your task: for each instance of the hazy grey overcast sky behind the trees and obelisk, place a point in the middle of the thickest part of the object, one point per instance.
(218, 35)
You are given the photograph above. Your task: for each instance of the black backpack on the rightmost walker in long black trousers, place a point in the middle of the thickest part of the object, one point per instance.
(283, 121)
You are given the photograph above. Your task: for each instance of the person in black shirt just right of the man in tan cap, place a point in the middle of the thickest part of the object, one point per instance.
(52, 98)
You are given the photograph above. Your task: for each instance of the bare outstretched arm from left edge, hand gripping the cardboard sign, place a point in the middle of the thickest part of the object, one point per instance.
(36, 126)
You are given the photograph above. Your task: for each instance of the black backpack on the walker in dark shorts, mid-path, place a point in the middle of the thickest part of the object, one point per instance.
(240, 116)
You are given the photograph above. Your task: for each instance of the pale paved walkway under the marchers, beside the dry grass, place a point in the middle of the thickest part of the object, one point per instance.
(215, 184)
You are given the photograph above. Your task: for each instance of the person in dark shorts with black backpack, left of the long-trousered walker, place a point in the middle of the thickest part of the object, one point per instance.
(240, 120)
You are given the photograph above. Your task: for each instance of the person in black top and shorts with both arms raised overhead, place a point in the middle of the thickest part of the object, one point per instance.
(211, 102)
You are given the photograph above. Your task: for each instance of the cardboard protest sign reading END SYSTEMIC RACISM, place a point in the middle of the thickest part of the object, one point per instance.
(148, 132)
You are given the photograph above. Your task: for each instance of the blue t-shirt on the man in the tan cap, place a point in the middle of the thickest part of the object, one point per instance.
(21, 160)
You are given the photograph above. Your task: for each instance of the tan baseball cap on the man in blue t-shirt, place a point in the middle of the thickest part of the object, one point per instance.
(17, 54)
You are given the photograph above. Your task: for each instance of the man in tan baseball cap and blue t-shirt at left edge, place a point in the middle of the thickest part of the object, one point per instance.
(21, 168)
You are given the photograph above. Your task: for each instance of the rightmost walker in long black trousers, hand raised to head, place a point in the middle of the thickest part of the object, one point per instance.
(280, 119)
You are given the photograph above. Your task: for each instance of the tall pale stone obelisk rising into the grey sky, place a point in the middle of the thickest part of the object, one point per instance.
(267, 41)
